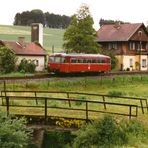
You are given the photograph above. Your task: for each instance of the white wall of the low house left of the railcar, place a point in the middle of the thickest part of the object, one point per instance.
(41, 61)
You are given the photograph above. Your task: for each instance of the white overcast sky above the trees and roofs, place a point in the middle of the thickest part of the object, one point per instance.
(134, 11)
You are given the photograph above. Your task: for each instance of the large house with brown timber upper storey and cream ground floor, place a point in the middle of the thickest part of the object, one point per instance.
(129, 42)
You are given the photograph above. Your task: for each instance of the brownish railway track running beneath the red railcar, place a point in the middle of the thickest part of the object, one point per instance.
(46, 76)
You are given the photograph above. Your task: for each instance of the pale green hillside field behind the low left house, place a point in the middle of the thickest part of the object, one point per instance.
(51, 36)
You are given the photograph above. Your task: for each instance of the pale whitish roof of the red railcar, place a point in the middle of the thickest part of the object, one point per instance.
(80, 55)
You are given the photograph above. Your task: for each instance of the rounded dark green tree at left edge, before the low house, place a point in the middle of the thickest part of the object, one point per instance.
(7, 60)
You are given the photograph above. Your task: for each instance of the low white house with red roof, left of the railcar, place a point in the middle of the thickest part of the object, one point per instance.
(29, 51)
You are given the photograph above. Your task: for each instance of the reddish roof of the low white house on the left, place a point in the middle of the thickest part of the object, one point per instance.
(25, 48)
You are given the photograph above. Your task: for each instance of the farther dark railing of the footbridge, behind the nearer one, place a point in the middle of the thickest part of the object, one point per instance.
(142, 102)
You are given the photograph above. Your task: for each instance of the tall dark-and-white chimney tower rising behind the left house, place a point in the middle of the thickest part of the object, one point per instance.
(37, 33)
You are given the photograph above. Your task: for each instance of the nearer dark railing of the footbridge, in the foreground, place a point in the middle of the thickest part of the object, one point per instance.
(132, 109)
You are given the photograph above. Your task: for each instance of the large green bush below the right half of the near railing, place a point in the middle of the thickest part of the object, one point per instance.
(104, 133)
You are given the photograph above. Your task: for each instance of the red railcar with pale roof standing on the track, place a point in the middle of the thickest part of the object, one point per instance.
(75, 63)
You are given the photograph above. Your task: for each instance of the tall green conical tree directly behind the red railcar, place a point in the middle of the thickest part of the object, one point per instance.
(80, 36)
